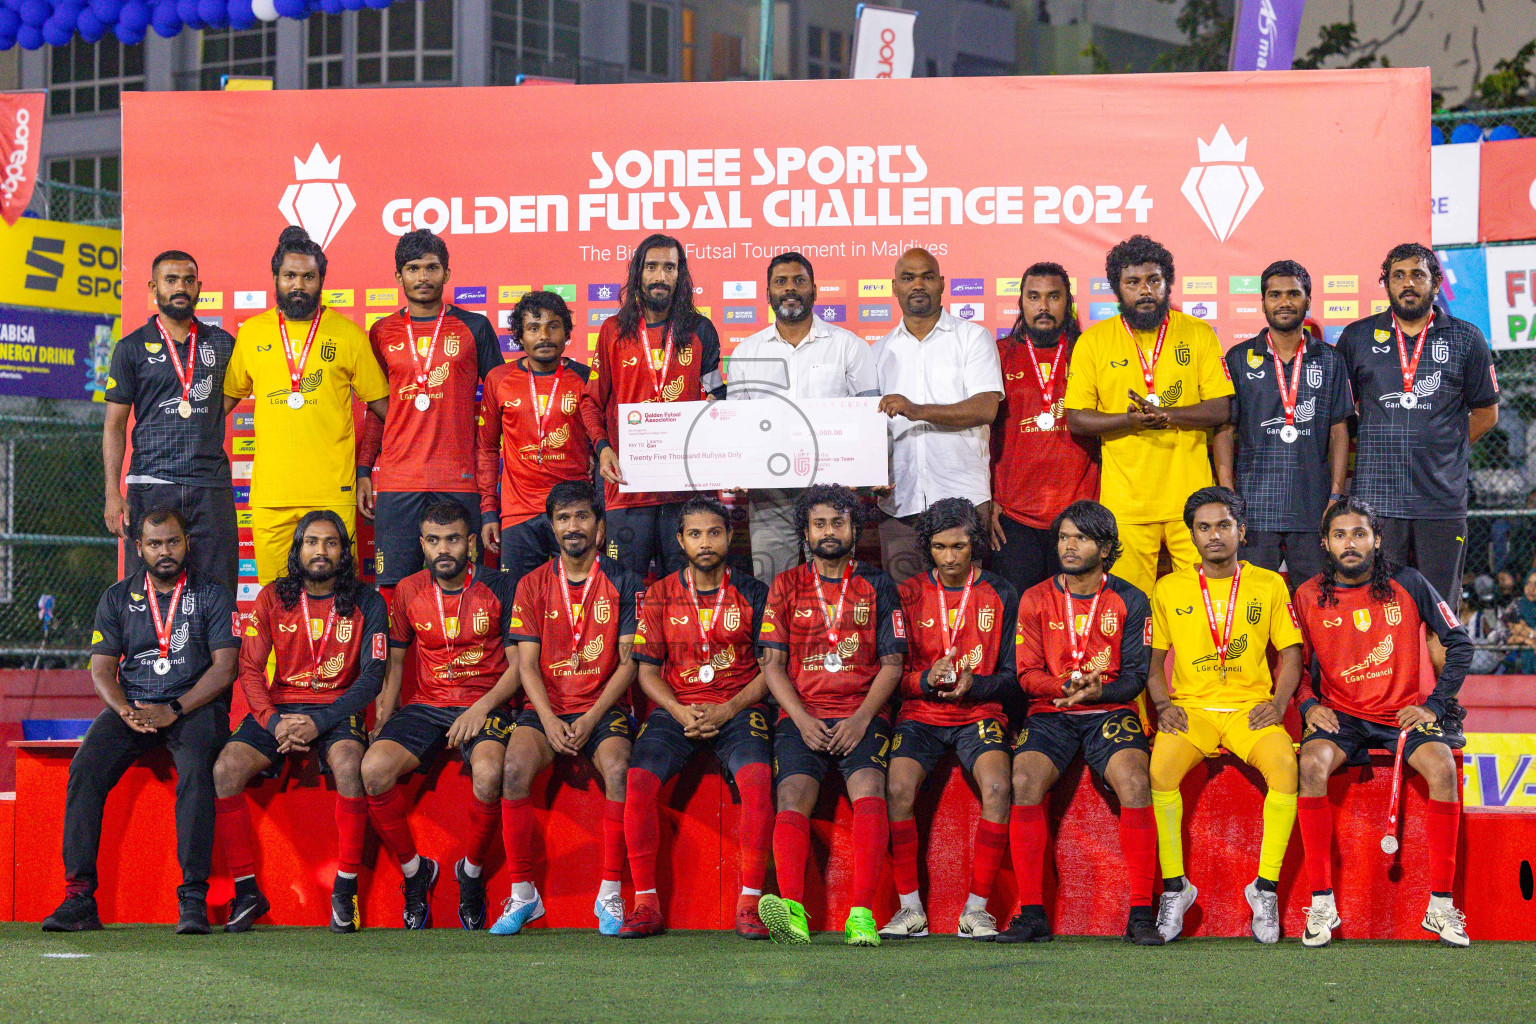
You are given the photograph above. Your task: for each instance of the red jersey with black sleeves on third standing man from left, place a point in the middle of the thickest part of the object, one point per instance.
(434, 449)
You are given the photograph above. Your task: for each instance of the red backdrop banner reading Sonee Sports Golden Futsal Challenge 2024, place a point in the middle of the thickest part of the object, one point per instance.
(552, 188)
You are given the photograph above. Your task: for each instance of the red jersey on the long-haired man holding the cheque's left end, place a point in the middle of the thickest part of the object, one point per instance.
(623, 374)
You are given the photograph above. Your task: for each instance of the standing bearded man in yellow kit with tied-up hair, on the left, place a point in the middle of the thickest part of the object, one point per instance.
(303, 363)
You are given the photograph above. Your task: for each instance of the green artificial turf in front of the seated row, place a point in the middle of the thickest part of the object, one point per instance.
(386, 976)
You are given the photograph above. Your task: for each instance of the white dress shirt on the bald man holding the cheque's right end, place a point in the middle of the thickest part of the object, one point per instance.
(956, 362)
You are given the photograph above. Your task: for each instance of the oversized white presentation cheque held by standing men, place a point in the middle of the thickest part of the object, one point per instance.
(753, 443)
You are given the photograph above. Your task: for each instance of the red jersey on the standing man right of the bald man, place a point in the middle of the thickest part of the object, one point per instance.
(1038, 474)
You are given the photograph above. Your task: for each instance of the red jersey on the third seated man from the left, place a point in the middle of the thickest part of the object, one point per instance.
(462, 649)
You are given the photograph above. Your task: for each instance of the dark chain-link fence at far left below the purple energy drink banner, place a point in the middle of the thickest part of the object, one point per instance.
(55, 550)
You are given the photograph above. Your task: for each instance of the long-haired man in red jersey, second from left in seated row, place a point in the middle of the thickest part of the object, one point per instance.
(326, 635)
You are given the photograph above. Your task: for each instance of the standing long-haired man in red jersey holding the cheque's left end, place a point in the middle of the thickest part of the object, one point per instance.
(657, 349)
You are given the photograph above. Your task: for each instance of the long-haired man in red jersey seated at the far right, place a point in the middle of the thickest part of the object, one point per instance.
(1363, 621)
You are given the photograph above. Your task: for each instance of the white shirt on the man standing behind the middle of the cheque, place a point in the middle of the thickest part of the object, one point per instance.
(829, 363)
